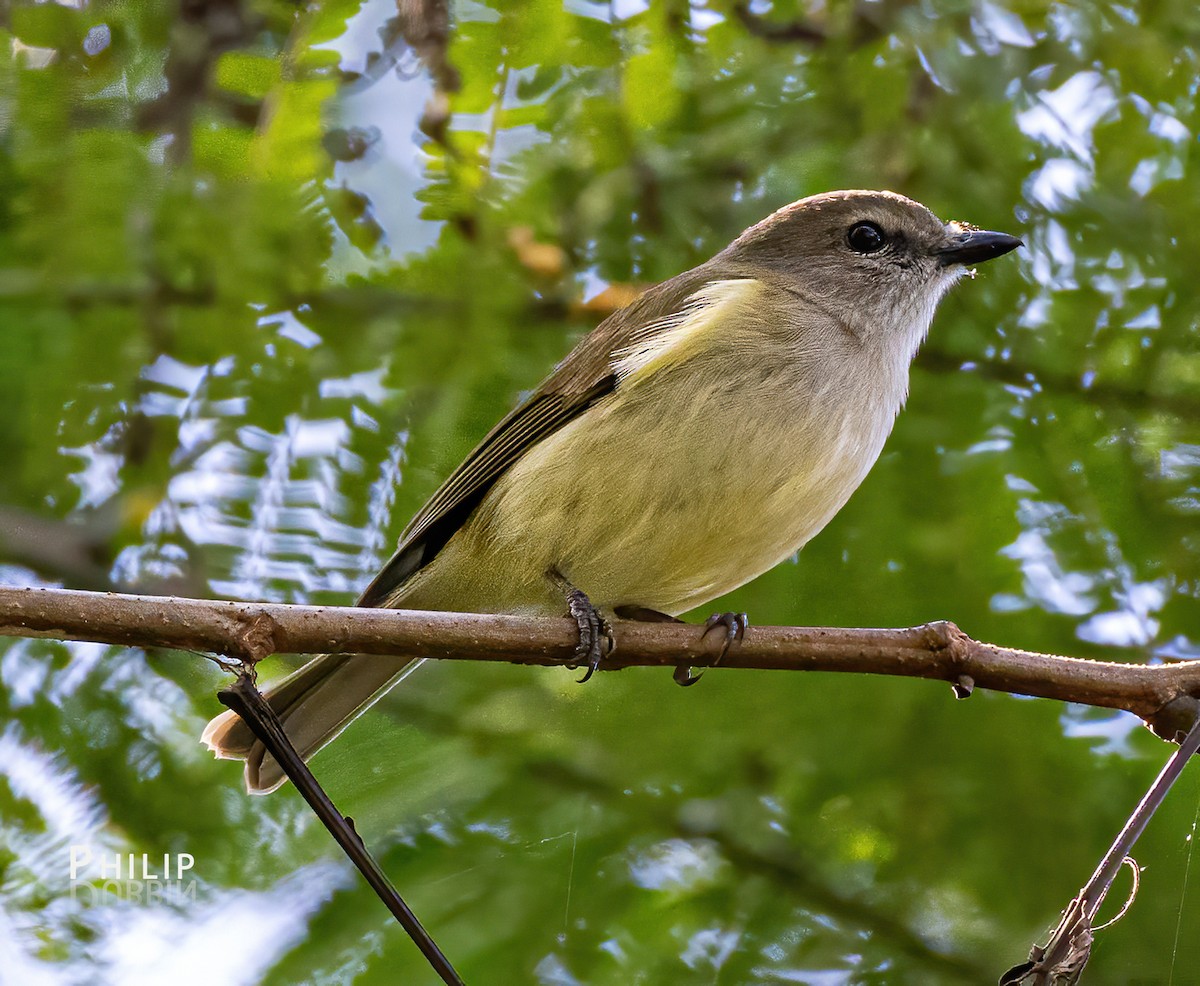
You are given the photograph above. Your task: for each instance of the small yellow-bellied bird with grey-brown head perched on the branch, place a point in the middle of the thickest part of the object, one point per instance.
(692, 442)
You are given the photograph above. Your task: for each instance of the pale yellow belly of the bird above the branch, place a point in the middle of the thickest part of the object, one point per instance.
(638, 507)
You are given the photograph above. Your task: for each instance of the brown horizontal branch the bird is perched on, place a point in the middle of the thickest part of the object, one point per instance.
(1166, 696)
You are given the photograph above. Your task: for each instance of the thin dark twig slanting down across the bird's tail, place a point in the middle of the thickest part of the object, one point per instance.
(248, 702)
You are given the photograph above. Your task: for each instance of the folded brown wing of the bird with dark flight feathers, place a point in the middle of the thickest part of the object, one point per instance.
(577, 384)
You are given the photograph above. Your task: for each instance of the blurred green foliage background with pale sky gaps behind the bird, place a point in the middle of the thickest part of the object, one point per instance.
(268, 270)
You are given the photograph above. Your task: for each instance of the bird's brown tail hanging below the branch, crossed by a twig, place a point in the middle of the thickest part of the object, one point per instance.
(315, 705)
